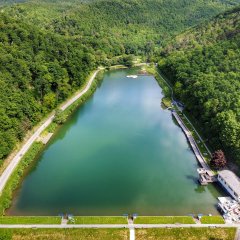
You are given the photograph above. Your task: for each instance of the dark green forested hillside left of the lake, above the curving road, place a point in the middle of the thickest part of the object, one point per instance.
(37, 72)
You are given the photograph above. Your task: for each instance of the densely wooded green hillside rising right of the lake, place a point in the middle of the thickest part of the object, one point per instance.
(204, 66)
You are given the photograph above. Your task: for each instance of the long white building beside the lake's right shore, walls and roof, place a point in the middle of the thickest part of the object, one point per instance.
(230, 182)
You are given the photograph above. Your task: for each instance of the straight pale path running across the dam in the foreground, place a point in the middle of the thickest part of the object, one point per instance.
(119, 226)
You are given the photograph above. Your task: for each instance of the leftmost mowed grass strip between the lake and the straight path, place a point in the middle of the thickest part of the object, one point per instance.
(29, 220)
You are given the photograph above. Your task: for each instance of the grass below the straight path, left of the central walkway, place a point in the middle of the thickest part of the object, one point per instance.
(64, 234)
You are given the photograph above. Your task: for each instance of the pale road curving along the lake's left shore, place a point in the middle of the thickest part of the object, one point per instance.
(8, 171)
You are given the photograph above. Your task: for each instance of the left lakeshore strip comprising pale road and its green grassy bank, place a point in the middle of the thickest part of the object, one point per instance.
(12, 174)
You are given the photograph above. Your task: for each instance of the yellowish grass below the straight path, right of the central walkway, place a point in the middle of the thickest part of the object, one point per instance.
(186, 234)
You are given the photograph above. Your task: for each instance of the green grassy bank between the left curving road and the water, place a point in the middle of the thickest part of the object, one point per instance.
(34, 150)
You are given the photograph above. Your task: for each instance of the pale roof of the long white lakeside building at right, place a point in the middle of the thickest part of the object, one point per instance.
(231, 179)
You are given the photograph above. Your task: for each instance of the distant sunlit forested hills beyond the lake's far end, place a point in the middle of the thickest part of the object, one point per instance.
(117, 26)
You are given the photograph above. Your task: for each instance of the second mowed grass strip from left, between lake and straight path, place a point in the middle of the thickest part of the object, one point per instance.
(99, 220)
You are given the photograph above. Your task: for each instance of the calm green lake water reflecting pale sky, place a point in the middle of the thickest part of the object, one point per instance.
(118, 153)
